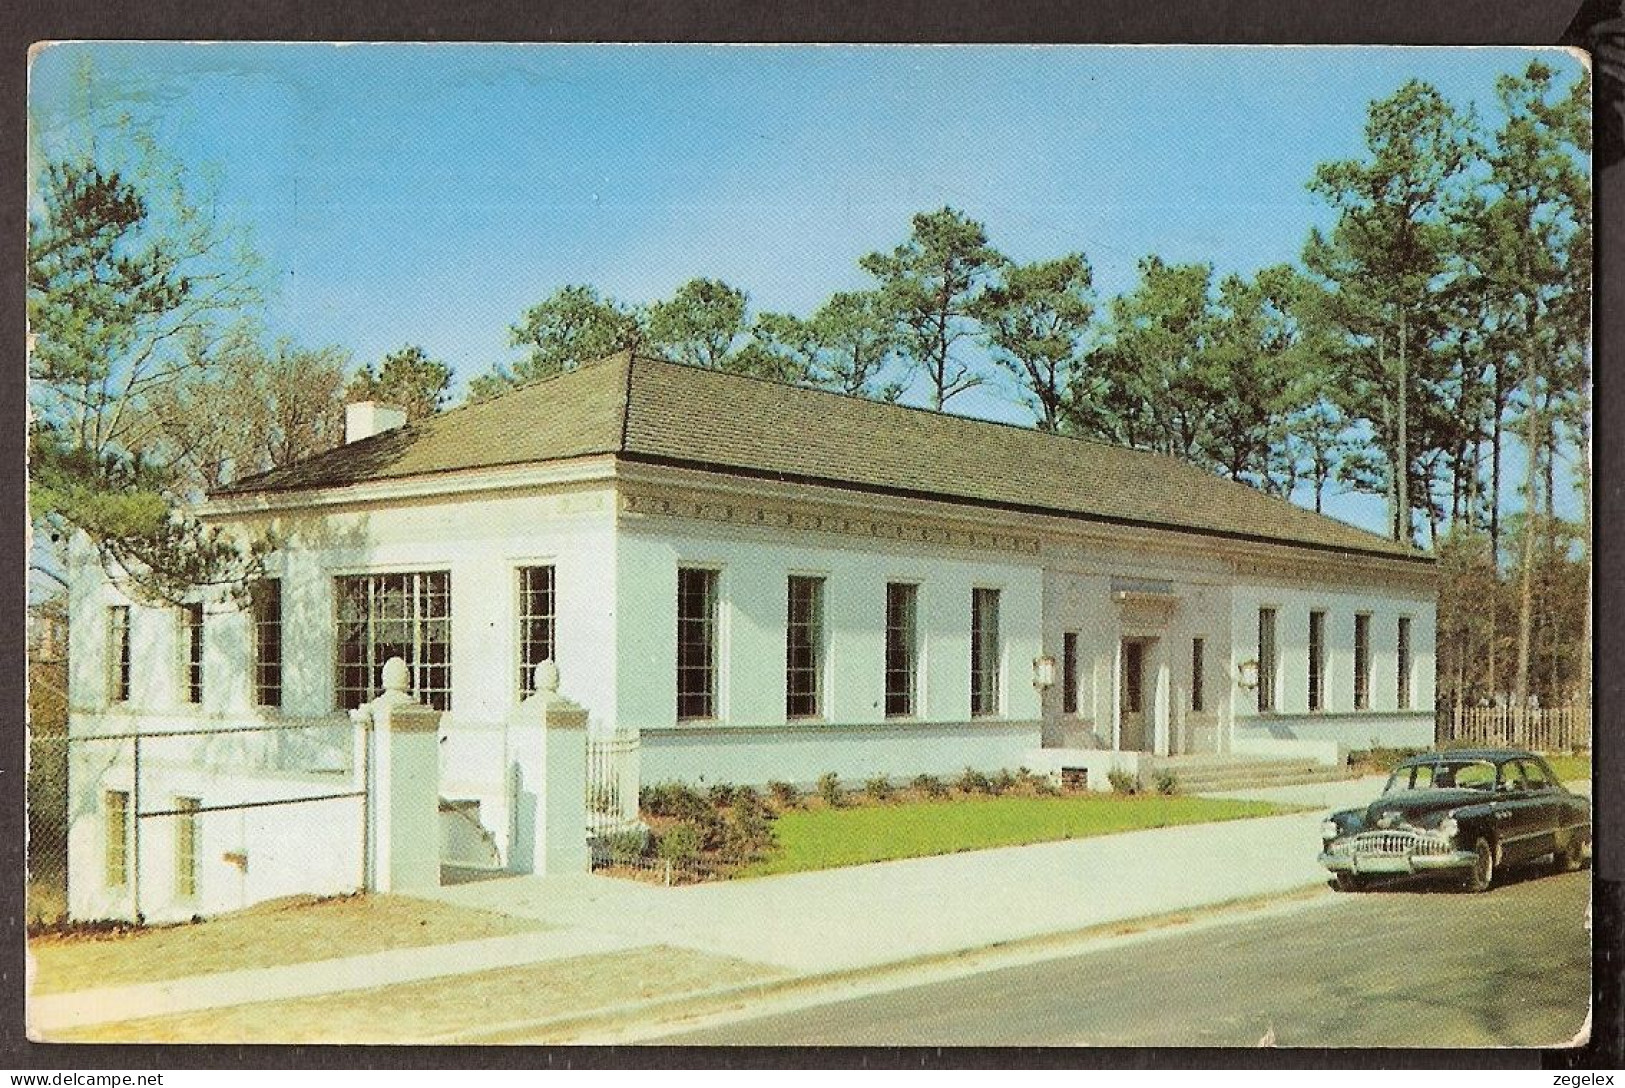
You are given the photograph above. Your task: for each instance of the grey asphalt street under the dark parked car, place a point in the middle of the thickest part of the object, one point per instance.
(1405, 965)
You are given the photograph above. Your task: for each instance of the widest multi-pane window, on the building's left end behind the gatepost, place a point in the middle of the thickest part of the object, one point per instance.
(396, 616)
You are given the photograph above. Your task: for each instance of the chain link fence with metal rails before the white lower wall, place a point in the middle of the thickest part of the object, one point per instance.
(170, 824)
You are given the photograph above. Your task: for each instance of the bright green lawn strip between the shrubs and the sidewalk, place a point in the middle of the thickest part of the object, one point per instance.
(828, 839)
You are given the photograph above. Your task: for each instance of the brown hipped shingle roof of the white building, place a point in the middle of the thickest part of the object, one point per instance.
(654, 412)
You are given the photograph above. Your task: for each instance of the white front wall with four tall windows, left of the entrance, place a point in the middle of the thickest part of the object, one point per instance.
(752, 740)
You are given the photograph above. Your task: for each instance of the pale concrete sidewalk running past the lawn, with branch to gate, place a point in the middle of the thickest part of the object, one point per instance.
(808, 925)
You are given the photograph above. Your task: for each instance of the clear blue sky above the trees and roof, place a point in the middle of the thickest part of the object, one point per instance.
(430, 194)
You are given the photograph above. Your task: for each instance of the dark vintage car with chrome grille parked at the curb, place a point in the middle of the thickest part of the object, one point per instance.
(1465, 813)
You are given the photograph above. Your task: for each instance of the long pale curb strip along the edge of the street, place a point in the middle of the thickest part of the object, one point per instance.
(693, 1004)
